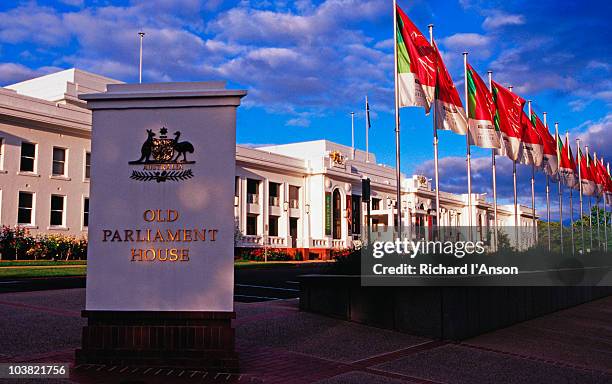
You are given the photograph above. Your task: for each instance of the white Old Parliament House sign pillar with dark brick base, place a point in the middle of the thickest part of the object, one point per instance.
(161, 233)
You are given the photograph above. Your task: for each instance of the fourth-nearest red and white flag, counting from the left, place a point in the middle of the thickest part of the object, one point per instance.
(508, 120)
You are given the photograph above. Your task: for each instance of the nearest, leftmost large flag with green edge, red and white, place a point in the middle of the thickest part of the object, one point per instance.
(416, 65)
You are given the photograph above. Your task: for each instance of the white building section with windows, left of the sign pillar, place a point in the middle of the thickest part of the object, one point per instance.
(45, 135)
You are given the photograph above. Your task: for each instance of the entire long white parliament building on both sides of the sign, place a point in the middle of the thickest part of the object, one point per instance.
(303, 195)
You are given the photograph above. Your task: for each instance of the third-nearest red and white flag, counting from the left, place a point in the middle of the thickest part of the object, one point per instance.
(481, 112)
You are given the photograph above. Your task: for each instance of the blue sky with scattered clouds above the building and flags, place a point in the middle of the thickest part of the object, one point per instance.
(308, 64)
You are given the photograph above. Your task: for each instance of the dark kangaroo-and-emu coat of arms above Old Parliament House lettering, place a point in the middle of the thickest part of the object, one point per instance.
(163, 158)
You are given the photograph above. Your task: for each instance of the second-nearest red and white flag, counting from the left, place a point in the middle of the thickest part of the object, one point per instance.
(450, 115)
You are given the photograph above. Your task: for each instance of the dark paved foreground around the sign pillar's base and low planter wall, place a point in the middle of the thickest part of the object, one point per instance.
(279, 344)
